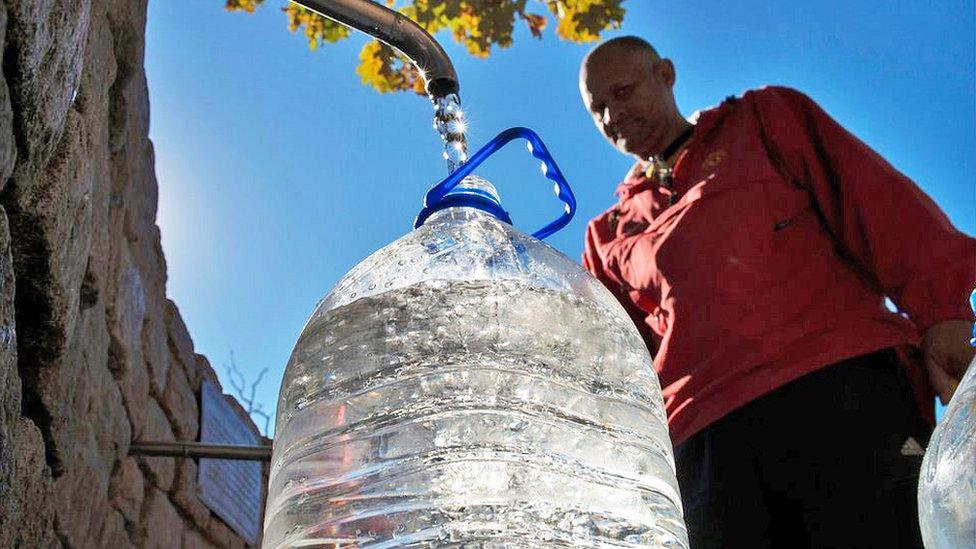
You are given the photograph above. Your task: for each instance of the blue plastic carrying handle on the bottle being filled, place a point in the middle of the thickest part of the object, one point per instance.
(538, 150)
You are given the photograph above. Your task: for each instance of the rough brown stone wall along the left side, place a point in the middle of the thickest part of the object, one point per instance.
(92, 354)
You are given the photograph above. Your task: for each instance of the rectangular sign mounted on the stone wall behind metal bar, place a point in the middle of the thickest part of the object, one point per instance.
(230, 488)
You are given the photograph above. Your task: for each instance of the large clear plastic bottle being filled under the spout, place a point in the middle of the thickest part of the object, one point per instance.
(470, 386)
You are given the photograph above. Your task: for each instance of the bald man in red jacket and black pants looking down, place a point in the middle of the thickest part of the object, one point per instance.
(754, 249)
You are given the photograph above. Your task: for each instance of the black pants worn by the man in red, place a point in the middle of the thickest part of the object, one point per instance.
(830, 460)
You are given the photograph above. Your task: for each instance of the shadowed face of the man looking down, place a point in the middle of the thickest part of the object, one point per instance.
(629, 94)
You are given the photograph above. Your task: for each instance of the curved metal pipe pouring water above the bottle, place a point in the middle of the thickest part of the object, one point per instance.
(398, 31)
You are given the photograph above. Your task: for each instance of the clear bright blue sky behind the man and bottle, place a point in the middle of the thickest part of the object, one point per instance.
(279, 171)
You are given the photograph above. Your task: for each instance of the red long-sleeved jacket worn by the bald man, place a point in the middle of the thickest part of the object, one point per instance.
(775, 260)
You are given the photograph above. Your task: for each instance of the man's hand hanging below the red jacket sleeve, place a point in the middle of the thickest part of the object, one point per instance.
(947, 355)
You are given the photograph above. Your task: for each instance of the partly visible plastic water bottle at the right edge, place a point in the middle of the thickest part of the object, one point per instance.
(947, 484)
